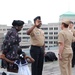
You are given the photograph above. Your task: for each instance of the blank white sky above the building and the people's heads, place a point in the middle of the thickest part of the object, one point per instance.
(25, 10)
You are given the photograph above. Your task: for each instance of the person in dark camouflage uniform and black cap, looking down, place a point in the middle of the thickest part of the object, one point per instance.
(11, 44)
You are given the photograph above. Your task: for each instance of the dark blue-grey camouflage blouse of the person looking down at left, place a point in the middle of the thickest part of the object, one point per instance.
(11, 45)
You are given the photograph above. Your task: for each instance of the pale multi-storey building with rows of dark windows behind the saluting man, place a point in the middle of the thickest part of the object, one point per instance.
(51, 31)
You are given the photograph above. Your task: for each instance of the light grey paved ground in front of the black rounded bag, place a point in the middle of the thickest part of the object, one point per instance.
(52, 68)
